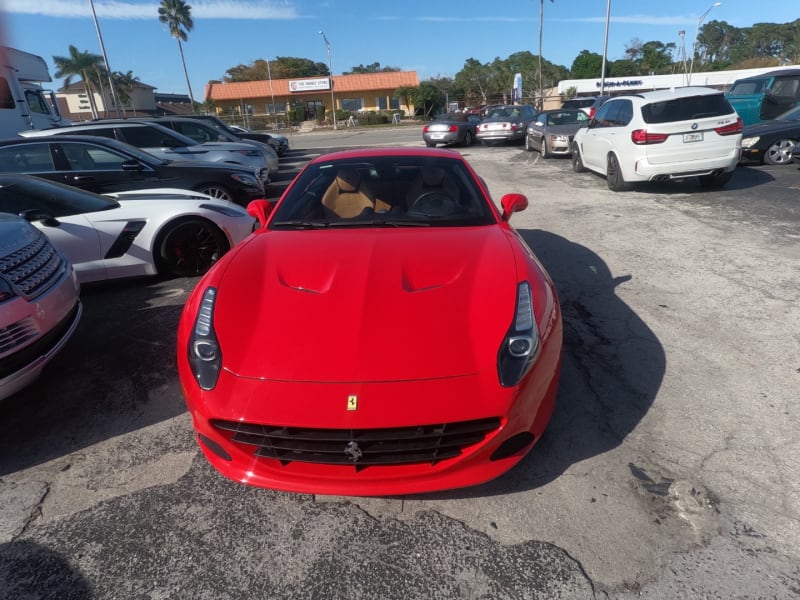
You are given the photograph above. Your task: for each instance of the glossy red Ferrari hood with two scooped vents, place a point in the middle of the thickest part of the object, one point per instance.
(366, 305)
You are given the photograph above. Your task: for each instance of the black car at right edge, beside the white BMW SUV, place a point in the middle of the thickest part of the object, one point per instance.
(772, 141)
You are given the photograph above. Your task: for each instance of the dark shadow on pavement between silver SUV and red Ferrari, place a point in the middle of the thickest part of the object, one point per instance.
(114, 376)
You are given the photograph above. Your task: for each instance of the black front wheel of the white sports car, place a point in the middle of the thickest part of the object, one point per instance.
(189, 247)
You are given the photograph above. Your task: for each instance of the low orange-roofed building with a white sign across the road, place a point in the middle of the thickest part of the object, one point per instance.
(354, 93)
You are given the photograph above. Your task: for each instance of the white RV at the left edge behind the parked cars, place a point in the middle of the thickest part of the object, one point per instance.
(23, 103)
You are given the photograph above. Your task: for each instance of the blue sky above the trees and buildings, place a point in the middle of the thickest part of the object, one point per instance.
(432, 38)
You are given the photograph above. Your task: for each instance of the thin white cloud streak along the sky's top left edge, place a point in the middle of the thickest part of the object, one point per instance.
(113, 9)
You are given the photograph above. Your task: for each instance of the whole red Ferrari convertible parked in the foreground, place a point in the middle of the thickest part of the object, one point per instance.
(385, 331)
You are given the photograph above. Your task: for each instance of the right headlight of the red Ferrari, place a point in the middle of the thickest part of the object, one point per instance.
(521, 343)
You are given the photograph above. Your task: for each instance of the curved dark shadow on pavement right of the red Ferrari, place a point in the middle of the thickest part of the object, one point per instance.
(613, 365)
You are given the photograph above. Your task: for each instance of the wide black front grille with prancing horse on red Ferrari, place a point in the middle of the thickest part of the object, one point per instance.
(360, 447)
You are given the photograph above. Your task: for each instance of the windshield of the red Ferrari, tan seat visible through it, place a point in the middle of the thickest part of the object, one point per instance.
(386, 191)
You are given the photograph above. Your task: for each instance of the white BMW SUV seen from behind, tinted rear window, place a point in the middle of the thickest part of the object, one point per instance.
(661, 135)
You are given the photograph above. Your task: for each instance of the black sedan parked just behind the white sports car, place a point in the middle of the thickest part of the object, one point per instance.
(103, 165)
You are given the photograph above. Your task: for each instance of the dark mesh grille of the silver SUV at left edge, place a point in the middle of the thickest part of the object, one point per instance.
(35, 268)
